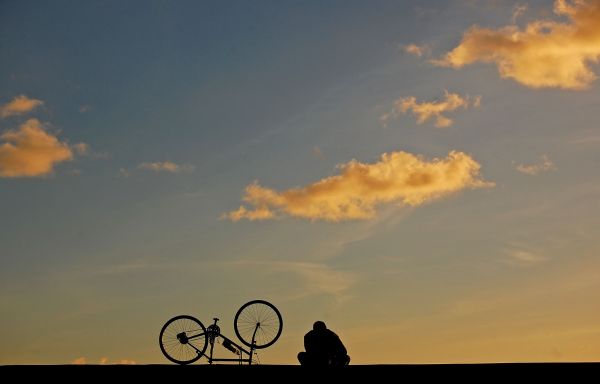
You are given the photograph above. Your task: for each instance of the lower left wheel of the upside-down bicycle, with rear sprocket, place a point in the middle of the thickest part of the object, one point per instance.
(183, 339)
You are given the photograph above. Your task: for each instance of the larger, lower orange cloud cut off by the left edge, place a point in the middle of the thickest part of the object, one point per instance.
(31, 151)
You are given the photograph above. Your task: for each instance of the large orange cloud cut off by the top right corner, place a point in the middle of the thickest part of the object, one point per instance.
(544, 54)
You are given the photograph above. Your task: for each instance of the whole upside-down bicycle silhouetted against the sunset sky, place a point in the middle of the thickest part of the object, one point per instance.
(184, 339)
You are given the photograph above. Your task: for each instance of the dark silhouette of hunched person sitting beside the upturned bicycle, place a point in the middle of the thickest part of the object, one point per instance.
(323, 347)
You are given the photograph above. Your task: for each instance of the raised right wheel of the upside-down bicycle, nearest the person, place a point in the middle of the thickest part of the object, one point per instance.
(258, 321)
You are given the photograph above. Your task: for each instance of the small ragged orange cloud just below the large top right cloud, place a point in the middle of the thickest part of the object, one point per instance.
(431, 109)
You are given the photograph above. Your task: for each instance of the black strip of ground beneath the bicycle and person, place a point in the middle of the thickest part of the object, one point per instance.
(573, 372)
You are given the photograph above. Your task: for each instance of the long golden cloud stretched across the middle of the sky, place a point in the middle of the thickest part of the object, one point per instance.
(398, 177)
